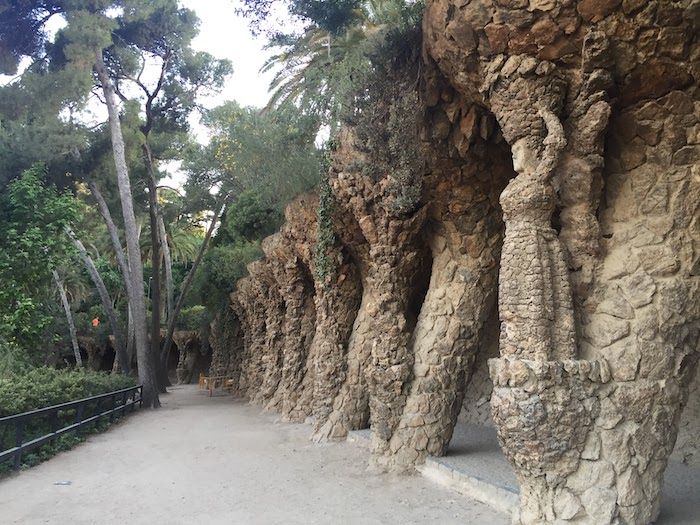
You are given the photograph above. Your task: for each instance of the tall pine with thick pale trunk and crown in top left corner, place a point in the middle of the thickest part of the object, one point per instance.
(78, 49)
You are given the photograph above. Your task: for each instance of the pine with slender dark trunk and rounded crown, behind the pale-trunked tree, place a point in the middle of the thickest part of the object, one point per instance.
(162, 35)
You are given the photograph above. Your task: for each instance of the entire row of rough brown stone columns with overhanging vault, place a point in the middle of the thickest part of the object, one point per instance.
(558, 190)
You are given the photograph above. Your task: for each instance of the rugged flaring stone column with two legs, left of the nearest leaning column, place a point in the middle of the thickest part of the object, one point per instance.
(391, 261)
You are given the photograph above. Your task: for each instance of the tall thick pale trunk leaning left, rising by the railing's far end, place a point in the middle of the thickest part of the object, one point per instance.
(137, 300)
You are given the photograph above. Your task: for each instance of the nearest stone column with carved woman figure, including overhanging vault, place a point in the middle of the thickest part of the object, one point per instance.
(558, 75)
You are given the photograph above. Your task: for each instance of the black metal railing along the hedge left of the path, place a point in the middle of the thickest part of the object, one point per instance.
(75, 415)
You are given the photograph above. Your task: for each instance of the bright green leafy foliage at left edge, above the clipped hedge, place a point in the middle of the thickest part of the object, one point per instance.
(33, 218)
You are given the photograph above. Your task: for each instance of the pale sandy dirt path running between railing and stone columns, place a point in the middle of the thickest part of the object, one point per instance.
(220, 461)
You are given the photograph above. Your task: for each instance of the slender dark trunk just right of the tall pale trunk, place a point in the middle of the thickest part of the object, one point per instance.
(156, 247)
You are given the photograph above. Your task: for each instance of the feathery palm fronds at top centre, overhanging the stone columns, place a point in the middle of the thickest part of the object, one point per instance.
(325, 73)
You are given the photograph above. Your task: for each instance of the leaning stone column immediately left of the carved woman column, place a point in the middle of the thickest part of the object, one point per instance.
(464, 231)
